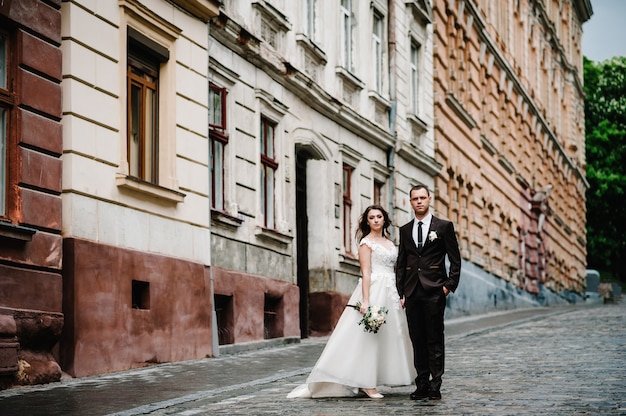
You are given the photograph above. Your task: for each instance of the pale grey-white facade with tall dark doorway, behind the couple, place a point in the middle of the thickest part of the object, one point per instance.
(319, 109)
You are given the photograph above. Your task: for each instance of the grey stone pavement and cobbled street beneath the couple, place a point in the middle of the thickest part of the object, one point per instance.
(542, 361)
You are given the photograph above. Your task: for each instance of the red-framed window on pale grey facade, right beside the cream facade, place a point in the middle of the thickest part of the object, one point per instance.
(219, 139)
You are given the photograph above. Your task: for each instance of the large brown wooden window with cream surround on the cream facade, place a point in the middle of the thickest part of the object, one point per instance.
(148, 156)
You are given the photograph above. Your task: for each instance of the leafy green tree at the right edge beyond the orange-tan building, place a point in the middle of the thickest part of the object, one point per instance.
(605, 141)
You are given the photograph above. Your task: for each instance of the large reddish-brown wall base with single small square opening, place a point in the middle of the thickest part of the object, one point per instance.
(126, 309)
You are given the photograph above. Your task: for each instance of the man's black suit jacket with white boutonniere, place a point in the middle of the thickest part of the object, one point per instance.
(427, 265)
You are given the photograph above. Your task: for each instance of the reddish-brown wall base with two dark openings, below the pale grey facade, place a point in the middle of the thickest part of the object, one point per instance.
(255, 307)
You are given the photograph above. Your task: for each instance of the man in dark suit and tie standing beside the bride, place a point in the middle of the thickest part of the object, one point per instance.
(423, 285)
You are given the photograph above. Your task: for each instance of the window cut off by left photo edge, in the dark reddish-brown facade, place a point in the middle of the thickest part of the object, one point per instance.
(6, 102)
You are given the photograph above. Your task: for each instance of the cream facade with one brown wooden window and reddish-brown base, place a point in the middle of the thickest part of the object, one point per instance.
(136, 253)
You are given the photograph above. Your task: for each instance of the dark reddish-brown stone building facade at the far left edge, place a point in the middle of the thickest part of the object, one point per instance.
(31, 318)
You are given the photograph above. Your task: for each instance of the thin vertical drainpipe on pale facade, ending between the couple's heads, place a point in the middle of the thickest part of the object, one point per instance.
(392, 97)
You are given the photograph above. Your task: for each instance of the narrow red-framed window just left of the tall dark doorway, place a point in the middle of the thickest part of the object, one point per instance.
(268, 172)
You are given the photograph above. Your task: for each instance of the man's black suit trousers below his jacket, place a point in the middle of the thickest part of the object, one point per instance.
(426, 328)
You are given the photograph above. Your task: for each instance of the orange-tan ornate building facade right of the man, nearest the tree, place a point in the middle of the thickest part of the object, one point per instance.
(510, 136)
